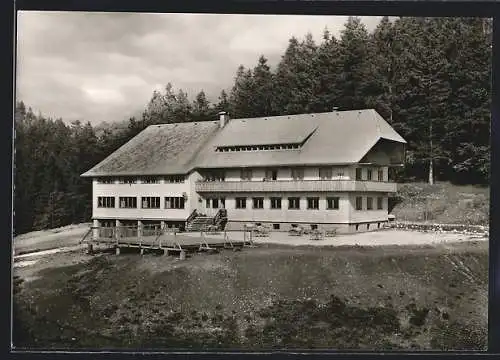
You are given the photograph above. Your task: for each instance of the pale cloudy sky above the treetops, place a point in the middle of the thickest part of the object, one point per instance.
(105, 66)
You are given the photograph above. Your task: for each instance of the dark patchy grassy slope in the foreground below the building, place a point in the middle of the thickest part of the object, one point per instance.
(269, 297)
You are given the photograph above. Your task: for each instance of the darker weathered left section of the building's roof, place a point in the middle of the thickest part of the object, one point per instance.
(158, 150)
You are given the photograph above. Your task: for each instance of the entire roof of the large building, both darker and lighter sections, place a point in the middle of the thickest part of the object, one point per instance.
(343, 137)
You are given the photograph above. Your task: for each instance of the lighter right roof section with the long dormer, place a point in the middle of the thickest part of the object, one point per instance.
(342, 137)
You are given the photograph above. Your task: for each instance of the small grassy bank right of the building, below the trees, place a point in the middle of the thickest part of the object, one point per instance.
(443, 203)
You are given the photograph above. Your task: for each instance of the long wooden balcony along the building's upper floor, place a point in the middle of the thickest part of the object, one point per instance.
(295, 186)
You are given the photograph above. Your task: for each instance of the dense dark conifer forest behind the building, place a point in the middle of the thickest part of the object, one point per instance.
(430, 78)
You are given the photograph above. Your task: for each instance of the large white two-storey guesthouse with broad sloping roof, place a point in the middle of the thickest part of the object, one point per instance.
(324, 170)
